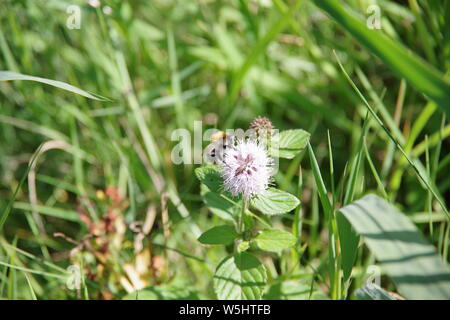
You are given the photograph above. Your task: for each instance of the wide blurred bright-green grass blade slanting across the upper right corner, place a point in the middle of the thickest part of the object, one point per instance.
(421, 75)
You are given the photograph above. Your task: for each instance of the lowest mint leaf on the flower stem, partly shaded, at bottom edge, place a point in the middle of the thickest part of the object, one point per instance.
(240, 277)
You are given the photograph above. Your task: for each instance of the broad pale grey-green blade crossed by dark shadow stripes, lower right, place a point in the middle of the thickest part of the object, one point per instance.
(401, 249)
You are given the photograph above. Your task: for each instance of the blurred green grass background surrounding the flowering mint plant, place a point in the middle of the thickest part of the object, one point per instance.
(164, 65)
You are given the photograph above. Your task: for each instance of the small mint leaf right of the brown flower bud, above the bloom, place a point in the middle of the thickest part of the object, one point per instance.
(287, 144)
